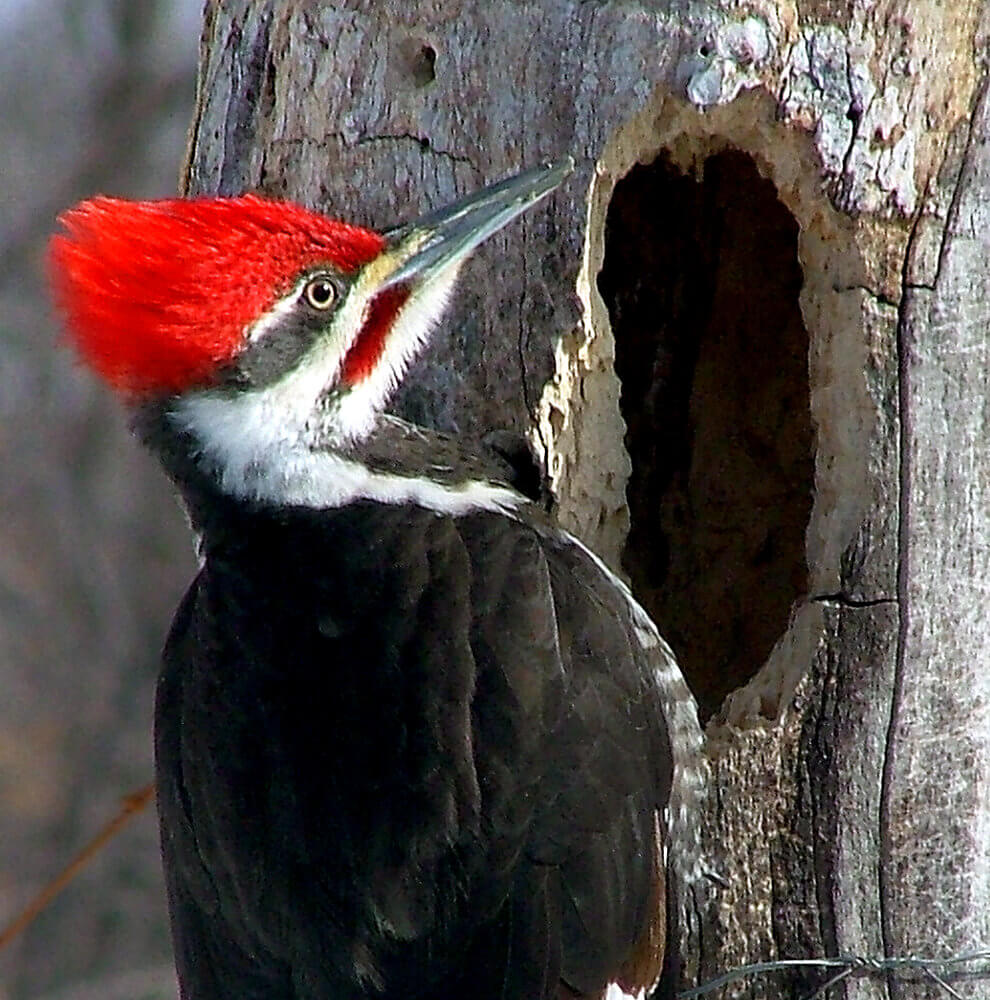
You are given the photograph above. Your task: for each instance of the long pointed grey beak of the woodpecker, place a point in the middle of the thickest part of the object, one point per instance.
(430, 245)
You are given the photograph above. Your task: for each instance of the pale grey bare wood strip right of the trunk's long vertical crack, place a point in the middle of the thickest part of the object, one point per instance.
(936, 852)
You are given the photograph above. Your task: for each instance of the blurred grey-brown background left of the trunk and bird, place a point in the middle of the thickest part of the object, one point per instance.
(95, 97)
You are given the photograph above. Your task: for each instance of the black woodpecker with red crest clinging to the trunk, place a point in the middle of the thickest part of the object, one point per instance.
(412, 739)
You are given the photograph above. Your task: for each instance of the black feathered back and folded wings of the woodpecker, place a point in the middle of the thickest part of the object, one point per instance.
(408, 755)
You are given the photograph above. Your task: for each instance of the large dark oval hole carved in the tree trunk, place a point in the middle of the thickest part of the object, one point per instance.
(701, 279)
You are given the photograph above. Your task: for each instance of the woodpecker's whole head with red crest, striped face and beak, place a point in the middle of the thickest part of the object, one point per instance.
(257, 328)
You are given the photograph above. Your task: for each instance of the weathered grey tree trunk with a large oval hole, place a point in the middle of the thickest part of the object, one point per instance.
(749, 340)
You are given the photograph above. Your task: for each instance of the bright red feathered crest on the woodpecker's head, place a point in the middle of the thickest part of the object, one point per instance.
(157, 295)
